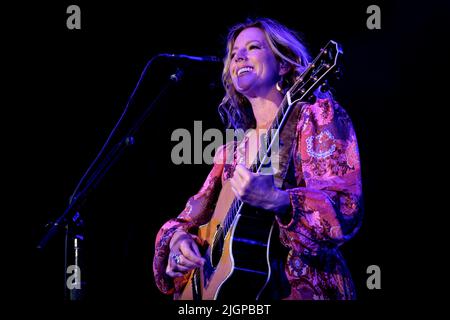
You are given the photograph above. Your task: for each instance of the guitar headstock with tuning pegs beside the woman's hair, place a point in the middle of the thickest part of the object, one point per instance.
(318, 71)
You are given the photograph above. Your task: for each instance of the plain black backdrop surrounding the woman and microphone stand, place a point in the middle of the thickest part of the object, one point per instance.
(72, 86)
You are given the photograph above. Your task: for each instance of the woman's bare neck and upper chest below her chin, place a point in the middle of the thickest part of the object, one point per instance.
(265, 108)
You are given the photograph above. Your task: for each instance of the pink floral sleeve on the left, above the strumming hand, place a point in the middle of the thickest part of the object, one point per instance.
(198, 210)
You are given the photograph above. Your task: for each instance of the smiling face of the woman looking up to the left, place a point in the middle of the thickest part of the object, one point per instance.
(254, 69)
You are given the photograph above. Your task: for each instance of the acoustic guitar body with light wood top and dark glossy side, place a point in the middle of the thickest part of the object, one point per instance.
(237, 263)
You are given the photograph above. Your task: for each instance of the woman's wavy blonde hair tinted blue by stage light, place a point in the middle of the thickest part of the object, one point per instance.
(286, 45)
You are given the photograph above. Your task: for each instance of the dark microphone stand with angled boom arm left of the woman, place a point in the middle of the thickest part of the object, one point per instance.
(71, 220)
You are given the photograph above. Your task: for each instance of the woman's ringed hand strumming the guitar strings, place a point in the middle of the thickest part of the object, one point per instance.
(184, 255)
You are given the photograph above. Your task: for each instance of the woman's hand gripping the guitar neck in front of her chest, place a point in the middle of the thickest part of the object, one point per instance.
(258, 190)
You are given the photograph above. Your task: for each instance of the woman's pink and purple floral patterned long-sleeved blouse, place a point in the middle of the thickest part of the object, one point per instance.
(326, 207)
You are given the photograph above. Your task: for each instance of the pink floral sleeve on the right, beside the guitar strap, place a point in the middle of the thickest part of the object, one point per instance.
(327, 201)
